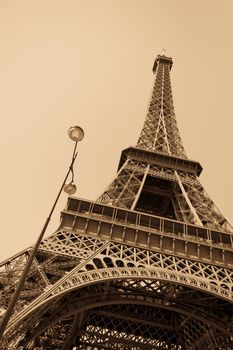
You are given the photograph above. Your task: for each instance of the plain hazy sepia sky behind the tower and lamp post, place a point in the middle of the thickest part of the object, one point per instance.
(89, 62)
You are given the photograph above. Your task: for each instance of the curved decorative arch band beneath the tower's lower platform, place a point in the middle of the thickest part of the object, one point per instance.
(80, 280)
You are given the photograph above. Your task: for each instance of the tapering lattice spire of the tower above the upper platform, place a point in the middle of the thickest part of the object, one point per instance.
(160, 132)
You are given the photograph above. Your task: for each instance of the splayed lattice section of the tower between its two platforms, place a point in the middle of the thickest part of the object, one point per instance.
(190, 201)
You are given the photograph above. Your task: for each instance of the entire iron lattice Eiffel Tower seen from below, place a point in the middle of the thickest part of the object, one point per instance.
(149, 265)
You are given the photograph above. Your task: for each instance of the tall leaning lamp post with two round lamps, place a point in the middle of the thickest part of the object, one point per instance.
(76, 134)
